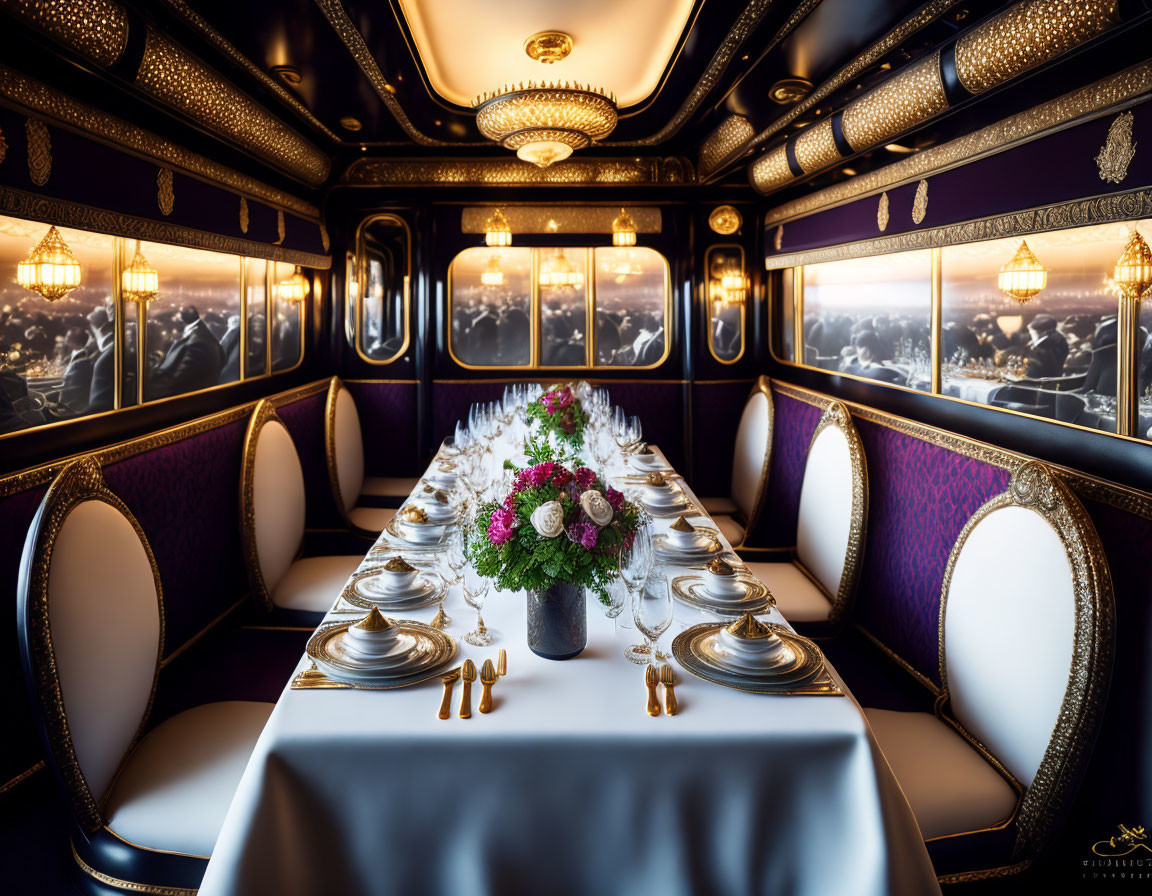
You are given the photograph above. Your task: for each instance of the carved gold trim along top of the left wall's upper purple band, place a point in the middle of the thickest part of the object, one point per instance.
(26, 95)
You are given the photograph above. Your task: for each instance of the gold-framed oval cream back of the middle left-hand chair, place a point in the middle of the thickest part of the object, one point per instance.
(274, 500)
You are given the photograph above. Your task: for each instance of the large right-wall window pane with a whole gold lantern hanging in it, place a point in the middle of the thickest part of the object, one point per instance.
(1052, 354)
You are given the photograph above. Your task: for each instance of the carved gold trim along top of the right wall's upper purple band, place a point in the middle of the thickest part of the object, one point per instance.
(1081, 105)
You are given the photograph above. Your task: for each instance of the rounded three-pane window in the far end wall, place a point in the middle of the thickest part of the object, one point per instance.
(532, 308)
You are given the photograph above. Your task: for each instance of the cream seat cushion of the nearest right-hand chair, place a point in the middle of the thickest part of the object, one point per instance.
(950, 786)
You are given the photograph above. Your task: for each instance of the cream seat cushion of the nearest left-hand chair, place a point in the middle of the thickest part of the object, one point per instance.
(177, 787)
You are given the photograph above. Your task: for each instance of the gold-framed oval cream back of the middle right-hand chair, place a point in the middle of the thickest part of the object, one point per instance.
(833, 507)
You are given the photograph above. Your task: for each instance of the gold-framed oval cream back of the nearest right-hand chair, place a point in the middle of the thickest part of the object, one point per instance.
(1027, 622)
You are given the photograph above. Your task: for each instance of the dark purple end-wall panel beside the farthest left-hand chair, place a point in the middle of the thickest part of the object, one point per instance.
(388, 413)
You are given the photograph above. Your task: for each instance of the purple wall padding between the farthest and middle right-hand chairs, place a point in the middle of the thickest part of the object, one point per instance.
(795, 422)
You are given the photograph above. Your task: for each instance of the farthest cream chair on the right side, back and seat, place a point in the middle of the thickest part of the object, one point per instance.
(737, 513)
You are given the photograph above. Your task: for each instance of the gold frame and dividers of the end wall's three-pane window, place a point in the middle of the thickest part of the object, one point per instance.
(534, 362)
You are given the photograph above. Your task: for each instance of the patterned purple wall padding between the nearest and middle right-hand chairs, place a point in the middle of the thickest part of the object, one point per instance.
(920, 498)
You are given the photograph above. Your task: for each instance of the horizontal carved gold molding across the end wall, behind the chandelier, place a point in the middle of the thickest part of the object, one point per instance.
(512, 172)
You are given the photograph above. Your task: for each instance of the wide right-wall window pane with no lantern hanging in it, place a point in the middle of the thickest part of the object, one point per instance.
(870, 317)
